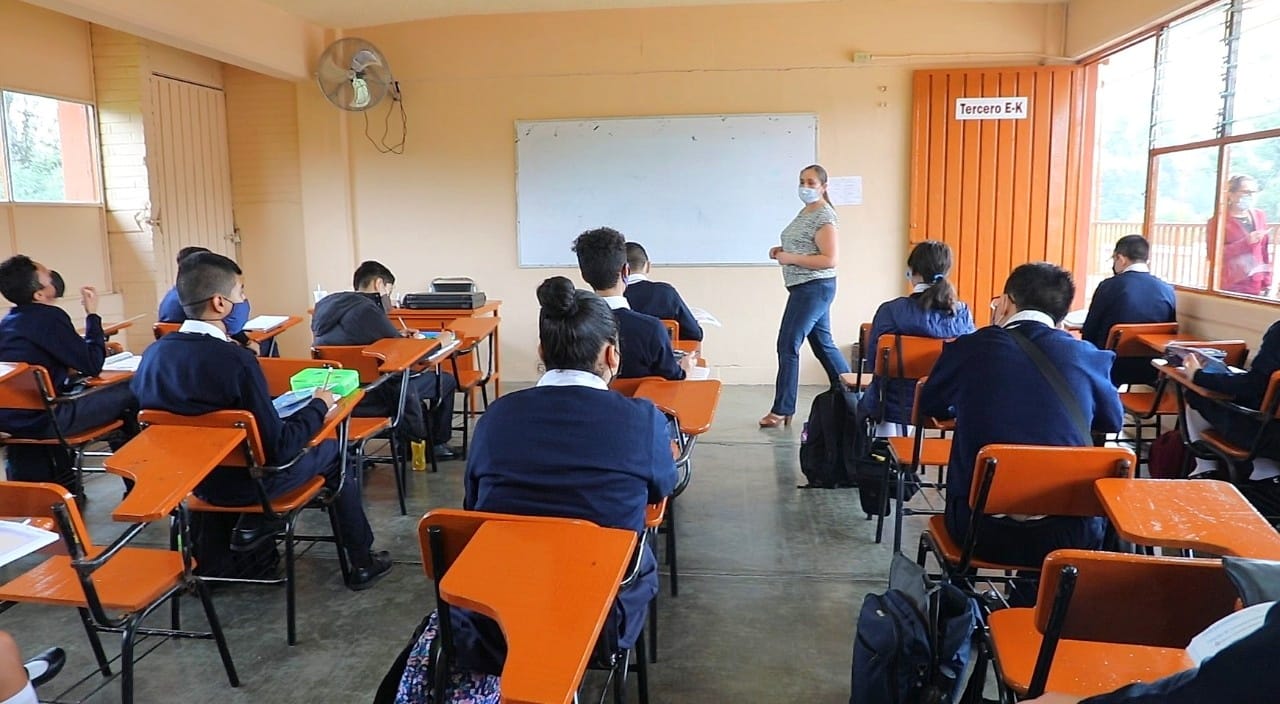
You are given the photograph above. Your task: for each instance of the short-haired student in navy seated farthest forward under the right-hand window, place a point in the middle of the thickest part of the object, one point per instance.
(1133, 295)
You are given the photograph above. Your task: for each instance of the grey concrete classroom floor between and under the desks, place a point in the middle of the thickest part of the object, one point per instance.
(770, 587)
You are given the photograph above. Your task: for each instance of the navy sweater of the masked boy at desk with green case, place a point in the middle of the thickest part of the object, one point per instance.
(193, 374)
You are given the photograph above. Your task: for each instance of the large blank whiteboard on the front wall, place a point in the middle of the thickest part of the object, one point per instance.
(703, 190)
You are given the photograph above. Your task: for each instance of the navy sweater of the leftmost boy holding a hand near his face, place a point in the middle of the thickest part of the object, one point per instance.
(43, 335)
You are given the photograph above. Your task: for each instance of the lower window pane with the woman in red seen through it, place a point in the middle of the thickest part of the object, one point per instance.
(1251, 207)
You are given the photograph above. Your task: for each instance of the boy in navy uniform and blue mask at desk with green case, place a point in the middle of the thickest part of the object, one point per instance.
(198, 372)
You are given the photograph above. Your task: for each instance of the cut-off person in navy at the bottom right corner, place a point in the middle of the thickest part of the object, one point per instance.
(1242, 673)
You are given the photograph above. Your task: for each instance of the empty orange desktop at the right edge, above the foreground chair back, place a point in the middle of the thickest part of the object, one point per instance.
(1190, 514)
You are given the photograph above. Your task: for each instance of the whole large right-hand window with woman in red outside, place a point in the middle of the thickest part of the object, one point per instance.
(1181, 115)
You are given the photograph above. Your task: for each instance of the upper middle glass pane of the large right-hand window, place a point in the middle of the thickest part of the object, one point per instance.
(1191, 79)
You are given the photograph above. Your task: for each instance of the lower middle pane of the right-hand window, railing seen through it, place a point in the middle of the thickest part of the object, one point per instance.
(1186, 190)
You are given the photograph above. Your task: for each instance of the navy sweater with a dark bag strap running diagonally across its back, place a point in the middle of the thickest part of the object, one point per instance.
(998, 395)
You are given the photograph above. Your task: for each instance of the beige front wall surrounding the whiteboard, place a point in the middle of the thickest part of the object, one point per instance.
(447, 207)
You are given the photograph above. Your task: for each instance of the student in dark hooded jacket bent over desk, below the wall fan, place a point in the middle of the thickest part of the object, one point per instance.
(360, 318)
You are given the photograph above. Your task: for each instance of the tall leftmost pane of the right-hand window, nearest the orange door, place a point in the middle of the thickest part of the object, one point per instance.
(1123, 131)
